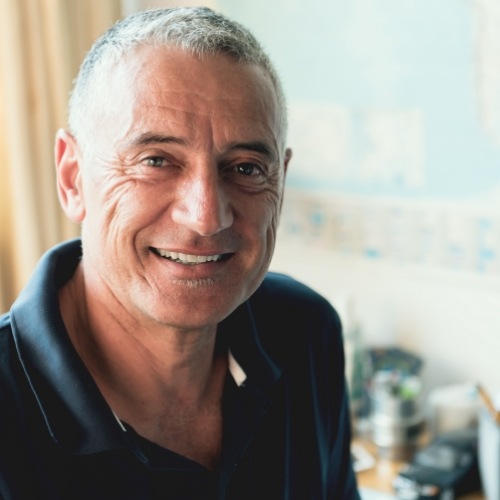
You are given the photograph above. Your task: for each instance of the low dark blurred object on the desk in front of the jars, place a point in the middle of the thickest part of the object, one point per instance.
(444, 470)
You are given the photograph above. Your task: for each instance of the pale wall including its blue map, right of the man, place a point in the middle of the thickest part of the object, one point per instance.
(393, 198)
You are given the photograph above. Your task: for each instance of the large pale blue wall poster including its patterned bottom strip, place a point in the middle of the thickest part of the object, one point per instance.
(394, 114)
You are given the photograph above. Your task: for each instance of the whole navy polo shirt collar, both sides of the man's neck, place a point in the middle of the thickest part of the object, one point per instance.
(77, 415)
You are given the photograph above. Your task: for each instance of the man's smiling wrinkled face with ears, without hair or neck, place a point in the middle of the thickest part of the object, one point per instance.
(187, 157)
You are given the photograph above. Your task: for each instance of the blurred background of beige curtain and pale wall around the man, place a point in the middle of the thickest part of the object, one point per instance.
(393, 202)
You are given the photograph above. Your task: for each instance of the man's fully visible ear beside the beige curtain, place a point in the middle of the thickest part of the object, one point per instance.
(69, 180)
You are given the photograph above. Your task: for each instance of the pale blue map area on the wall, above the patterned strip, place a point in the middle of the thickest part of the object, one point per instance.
(388, 97)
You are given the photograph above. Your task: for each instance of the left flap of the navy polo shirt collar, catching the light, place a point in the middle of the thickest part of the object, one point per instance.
(77, 415)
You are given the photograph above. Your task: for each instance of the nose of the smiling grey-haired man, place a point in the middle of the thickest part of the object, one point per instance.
(202, 203)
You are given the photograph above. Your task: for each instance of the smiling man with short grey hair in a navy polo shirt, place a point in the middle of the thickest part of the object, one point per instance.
(154, 358)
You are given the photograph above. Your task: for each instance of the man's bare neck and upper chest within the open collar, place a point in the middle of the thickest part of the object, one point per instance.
(167, 383)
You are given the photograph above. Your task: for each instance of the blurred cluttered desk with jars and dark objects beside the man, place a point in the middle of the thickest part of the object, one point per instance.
(401, 451)
